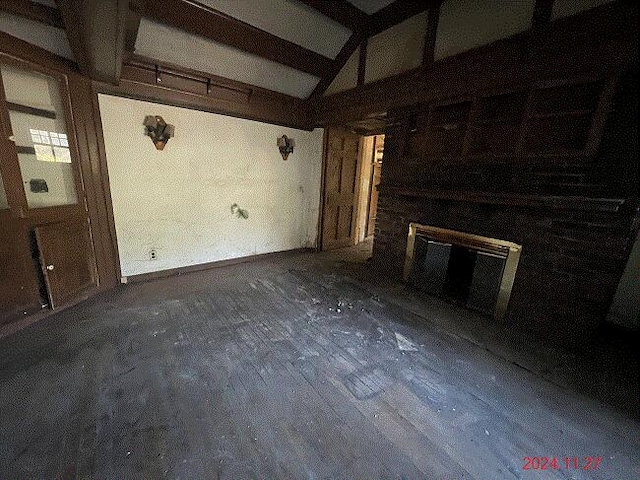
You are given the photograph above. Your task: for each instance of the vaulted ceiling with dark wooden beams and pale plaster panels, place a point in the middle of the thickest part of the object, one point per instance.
(302, 48)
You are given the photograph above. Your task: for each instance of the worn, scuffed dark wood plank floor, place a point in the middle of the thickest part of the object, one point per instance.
(284, 368)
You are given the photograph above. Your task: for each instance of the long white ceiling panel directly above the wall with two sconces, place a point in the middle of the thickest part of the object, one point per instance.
(171, 45)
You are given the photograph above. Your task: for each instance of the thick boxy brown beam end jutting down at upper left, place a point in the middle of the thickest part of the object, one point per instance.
(96, 33)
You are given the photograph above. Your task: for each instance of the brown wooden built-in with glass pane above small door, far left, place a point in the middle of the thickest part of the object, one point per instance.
(42, 187)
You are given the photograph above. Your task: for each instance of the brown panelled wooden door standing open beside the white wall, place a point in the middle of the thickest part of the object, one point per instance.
(340, 188)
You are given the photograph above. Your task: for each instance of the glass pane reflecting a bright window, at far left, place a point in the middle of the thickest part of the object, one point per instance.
(37, 120)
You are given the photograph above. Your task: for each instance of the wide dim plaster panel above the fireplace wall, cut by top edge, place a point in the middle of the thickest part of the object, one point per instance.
(466, 24)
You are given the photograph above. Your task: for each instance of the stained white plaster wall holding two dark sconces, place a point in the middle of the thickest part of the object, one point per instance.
(178, 201)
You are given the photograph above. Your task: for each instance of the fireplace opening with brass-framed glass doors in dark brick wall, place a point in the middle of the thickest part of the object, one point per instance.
(471, 270)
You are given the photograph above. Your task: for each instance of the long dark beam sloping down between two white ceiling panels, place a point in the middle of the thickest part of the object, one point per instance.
(198, 19)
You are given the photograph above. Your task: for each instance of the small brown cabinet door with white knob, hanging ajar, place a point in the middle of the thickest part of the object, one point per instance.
(66, 257)
